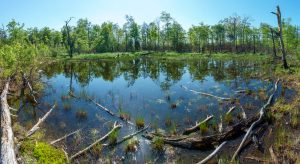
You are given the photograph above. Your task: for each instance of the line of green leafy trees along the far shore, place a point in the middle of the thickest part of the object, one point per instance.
(234, 34)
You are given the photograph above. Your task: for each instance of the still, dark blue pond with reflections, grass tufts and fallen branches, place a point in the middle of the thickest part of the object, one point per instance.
(161, 92)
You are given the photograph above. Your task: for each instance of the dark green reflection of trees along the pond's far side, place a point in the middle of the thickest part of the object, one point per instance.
(165, 73)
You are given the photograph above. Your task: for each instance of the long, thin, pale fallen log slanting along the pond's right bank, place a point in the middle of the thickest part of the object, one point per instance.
(262, 113)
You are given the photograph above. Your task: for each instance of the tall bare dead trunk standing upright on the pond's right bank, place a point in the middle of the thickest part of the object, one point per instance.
(279, 33)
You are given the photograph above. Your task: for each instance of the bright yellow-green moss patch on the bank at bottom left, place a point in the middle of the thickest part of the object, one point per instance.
(41, 152)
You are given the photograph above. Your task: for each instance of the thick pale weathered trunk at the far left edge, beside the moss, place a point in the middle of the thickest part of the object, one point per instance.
(7, 136)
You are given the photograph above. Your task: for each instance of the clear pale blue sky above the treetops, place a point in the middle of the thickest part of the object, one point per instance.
(52, 13)
